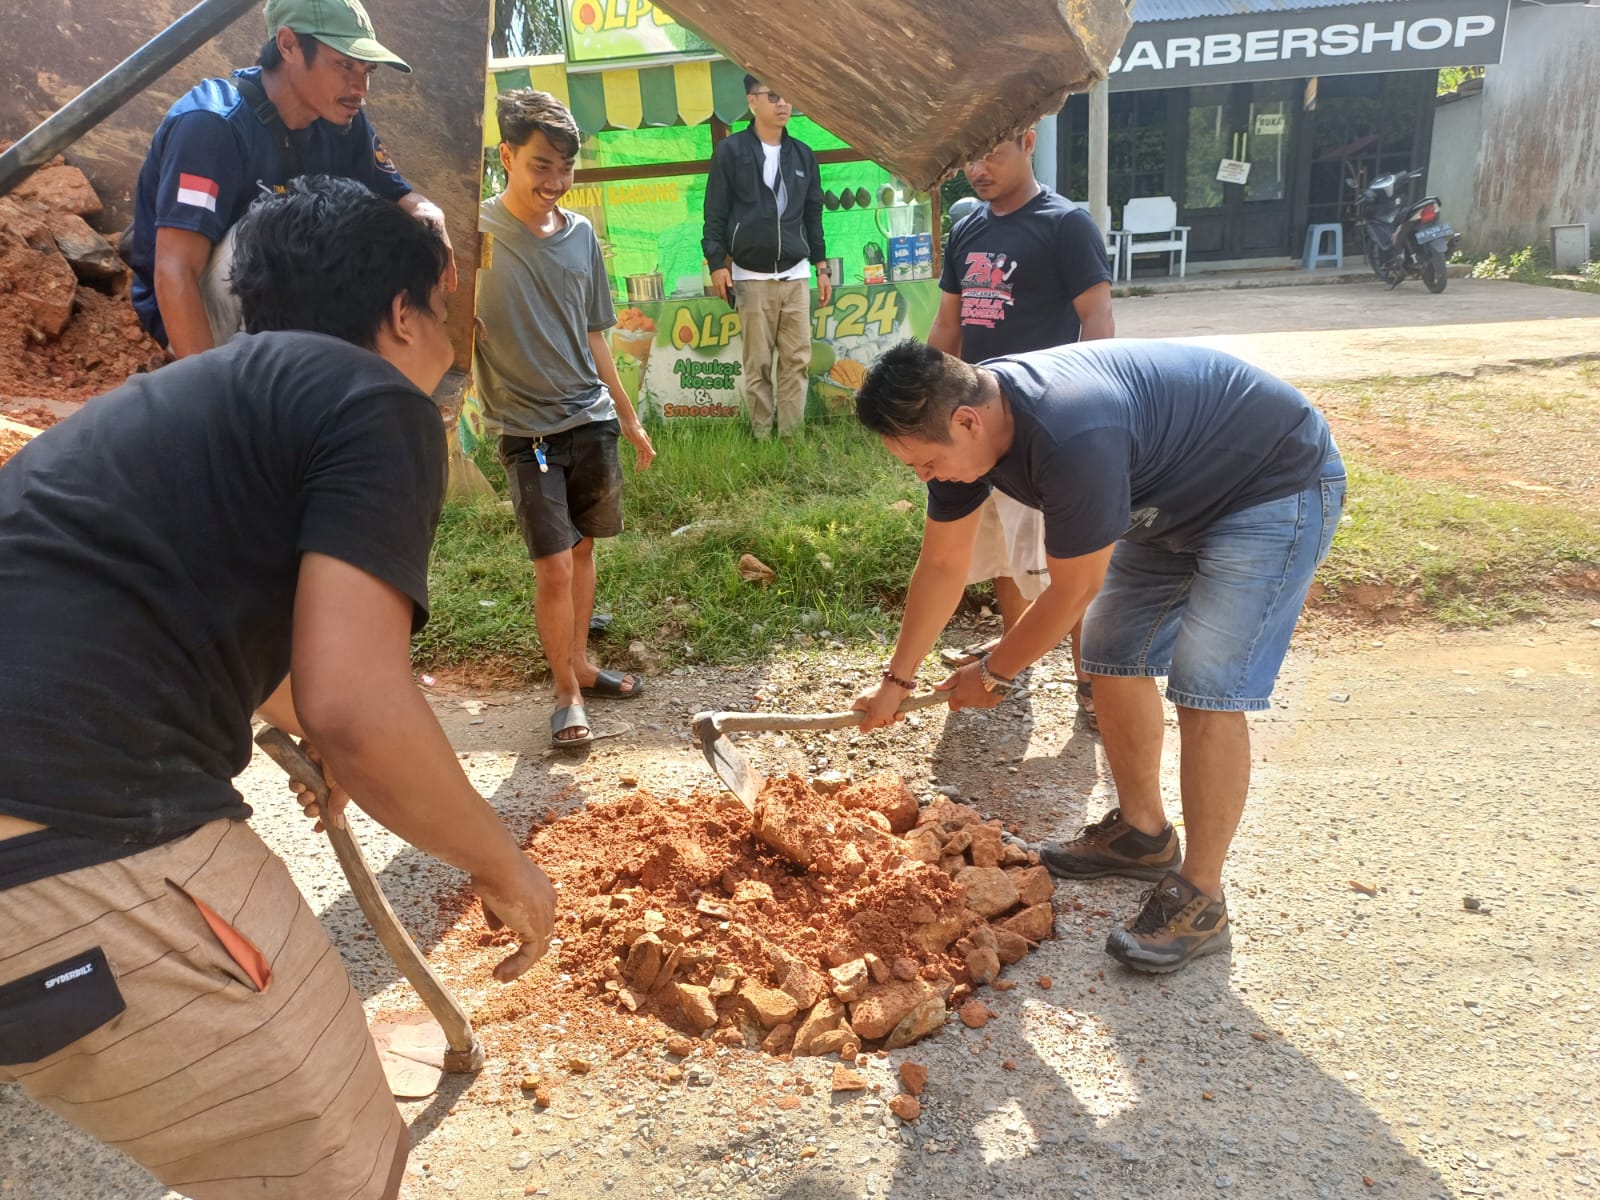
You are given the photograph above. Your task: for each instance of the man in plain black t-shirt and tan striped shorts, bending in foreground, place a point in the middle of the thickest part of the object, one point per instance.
(167, 556)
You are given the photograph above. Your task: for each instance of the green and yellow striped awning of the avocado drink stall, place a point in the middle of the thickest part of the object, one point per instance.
(682, 94)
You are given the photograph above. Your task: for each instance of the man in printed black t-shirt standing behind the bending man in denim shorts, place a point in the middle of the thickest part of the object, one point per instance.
(1025, 273)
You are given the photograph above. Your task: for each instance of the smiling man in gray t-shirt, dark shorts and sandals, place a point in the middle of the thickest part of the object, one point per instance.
(551, 391)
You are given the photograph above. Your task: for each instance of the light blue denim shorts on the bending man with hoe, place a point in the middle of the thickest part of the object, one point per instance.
(1215, 618)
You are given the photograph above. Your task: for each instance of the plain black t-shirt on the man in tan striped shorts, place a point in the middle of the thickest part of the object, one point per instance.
(150, 550)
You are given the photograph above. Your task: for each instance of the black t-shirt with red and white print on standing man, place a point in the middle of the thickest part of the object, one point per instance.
(1018, 276)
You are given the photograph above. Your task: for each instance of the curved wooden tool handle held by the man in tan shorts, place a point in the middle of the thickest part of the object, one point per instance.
(465, 1054)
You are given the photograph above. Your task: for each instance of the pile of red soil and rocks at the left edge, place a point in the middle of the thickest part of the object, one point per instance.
(66, 327)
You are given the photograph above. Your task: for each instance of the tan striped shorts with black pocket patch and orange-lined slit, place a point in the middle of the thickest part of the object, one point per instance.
(130, 1006)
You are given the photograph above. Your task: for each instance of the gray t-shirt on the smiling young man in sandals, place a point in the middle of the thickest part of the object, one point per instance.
(538, 302)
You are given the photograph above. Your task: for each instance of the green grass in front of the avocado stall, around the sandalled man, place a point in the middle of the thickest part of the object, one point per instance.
(820, 511)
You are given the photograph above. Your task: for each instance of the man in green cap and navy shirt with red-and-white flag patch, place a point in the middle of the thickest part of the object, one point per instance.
(298, 111)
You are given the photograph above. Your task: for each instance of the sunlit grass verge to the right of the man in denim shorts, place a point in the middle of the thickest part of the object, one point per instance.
(1465, 559)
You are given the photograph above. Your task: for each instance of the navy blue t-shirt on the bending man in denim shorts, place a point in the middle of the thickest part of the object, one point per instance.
(1143, 441)
